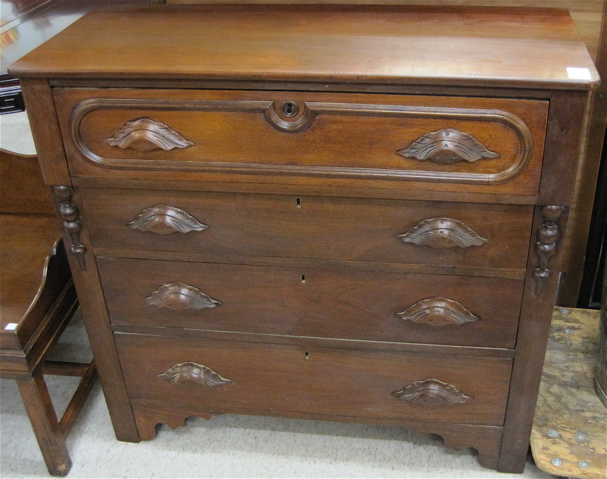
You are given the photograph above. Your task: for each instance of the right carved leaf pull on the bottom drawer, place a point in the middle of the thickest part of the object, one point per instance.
(432, 393)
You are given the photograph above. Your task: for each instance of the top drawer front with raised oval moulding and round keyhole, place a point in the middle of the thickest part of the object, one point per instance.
(493, 145)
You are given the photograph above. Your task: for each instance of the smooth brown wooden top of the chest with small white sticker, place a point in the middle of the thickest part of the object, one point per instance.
(531, 48)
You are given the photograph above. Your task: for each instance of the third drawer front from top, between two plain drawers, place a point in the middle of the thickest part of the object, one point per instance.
(378, 306)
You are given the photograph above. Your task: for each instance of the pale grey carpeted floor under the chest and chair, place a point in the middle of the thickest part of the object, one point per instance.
(225, 446)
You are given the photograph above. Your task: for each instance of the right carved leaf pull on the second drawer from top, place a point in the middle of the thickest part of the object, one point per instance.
(443, 232)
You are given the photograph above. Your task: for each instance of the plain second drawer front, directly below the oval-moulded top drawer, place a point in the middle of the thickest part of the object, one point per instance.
(376, 231)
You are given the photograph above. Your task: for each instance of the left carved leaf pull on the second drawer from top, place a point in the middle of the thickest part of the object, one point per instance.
(165, 219)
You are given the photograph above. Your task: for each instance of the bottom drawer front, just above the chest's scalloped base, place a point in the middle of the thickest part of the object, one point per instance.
(224, 376)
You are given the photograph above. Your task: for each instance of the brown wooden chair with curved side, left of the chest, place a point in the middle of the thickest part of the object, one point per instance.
(37, 301)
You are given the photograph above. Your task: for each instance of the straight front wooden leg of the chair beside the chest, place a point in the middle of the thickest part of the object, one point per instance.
(43, 418)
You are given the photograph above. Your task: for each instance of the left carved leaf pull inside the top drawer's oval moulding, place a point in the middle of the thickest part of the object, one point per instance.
(144, 134)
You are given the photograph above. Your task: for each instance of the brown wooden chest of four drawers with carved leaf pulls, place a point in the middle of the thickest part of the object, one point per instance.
(344, 213)
